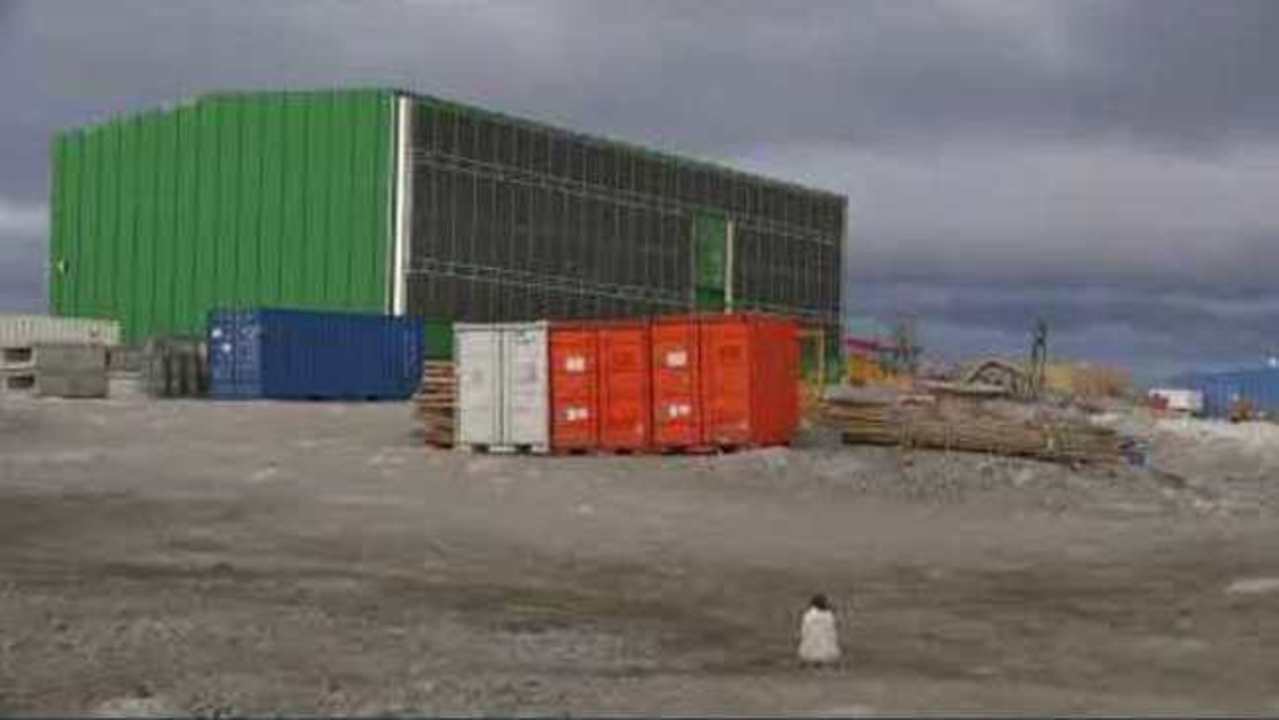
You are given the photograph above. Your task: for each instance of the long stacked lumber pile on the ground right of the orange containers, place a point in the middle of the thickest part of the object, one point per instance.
(928, 425)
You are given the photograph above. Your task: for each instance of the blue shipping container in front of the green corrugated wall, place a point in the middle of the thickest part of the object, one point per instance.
(306, 355)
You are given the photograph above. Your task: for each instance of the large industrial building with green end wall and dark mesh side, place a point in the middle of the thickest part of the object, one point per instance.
(386, 201)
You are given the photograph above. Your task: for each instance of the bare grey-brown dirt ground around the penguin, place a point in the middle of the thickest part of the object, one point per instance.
(185, 557)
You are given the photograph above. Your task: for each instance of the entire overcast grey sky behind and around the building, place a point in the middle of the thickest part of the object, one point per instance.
(1111, 166)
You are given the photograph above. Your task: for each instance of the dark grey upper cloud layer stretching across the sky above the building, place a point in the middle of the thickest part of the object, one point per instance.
(721, 76)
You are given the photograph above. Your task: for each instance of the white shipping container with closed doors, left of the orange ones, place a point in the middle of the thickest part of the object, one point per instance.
(503, 384)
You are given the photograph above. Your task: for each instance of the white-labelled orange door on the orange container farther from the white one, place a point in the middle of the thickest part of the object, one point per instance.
(676, 403)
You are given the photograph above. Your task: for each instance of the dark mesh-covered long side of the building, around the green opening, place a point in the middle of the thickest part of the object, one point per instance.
(517, 222)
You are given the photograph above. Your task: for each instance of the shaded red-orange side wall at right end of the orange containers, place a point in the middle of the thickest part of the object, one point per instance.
(776, 382)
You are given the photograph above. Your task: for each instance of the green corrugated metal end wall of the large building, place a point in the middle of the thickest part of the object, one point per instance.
(235, 200)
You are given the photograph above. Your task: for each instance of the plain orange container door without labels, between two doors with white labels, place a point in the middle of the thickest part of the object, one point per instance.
(625, 400)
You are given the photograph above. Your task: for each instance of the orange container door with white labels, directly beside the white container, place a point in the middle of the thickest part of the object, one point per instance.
(575, 389)
